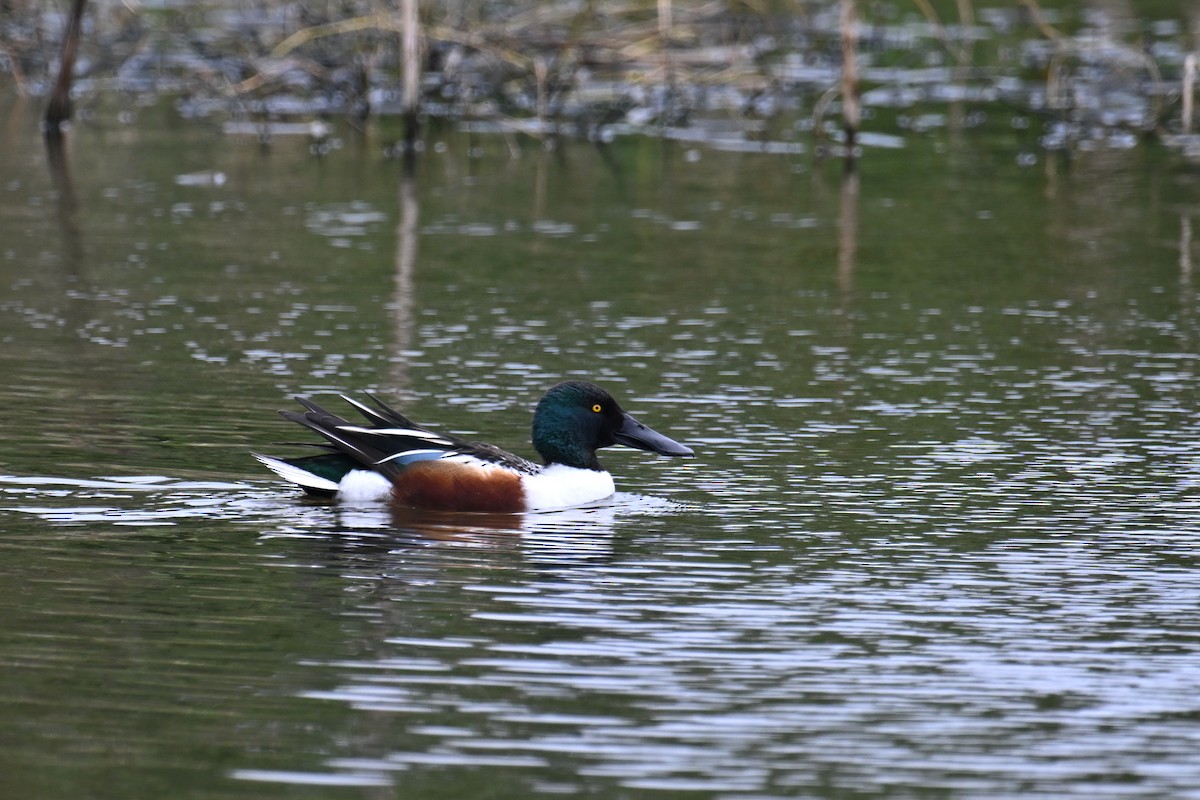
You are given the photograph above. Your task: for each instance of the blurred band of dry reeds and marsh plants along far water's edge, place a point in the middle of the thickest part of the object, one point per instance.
(773, 75)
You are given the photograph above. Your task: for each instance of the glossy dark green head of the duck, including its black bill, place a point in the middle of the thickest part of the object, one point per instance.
(575, 419)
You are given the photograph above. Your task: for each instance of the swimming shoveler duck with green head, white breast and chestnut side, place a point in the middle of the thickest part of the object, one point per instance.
(394, 460)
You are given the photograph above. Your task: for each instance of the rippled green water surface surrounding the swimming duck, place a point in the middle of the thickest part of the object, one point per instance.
(939, 539)
